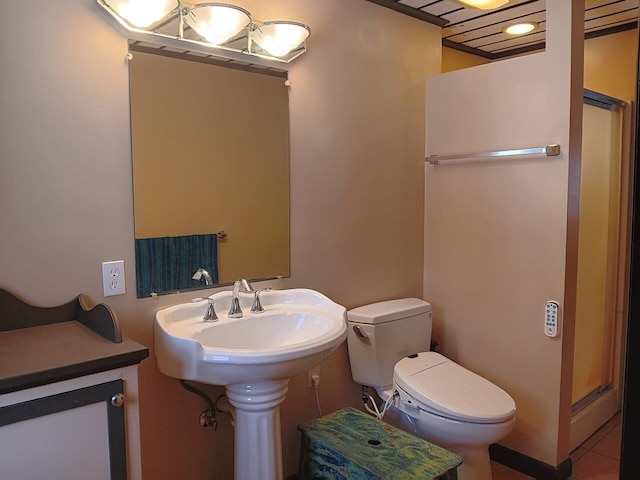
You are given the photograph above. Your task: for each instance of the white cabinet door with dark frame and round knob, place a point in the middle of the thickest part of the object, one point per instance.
(77, 434)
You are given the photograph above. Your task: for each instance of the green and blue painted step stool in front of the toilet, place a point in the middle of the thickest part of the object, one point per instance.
(351, 445)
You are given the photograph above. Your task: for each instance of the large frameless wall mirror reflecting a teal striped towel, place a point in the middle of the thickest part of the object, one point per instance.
(210, 172)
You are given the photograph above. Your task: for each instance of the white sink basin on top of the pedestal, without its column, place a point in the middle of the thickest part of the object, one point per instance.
(298, 329)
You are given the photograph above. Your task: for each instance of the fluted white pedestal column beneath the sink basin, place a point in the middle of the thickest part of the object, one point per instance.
(258, 445)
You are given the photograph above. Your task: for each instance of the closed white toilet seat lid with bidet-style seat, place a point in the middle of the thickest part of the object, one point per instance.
(441, 386)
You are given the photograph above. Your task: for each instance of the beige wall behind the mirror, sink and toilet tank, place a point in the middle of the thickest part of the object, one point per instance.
(357, 148)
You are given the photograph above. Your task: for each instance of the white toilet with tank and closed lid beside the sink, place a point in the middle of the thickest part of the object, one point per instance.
(436, 398)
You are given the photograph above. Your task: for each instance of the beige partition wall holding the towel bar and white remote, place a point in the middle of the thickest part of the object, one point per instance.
(500, 236)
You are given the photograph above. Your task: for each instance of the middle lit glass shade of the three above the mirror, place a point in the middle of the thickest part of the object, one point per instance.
(217, 22)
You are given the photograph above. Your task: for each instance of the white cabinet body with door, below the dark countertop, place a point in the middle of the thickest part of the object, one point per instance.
(75, 429)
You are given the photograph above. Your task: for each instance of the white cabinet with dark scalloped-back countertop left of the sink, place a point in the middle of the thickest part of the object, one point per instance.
(68, 393)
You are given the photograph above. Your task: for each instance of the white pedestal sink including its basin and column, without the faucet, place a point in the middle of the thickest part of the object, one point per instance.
(254, 357)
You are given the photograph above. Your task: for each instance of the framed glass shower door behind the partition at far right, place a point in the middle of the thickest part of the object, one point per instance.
(602, 260)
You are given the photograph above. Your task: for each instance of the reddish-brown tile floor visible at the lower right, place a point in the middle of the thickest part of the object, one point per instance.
(598, 458)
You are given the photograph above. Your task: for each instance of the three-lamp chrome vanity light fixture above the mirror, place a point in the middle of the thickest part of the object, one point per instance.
(219, 26)
